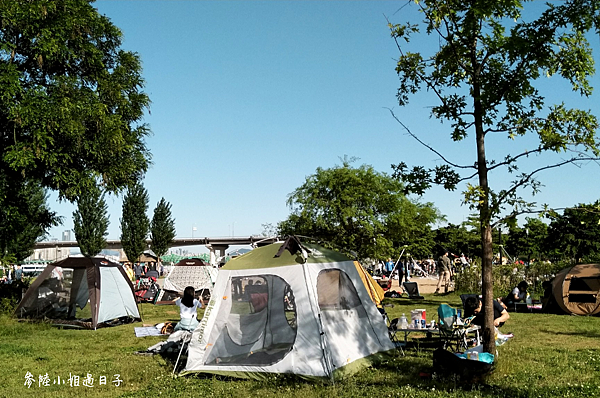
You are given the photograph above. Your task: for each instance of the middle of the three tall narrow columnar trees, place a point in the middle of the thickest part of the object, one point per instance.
(134, 221)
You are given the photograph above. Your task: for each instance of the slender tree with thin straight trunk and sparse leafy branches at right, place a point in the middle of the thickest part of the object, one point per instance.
(482, 72)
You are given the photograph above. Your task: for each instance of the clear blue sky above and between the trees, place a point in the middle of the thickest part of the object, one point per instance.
(249, 98)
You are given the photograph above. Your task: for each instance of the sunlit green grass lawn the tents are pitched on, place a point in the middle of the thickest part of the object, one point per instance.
(550, 356)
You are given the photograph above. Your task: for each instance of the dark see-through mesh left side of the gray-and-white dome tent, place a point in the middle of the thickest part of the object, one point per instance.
(63, 295)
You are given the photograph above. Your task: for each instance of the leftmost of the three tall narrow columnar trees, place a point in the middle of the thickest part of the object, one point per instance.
(90, 222)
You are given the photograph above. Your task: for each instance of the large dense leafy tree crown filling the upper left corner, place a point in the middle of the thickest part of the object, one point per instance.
(71, 102)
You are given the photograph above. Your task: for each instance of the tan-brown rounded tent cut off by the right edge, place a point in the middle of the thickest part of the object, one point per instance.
(577, 289)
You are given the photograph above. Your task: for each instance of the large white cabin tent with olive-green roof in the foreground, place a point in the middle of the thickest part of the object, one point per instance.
(288, 308)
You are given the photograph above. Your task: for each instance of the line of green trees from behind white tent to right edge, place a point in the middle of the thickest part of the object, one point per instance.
(366, 211)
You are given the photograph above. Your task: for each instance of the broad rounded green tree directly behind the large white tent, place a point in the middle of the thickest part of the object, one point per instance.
(360, 210)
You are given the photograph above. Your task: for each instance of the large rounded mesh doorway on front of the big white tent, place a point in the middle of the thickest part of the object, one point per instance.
(260, 328)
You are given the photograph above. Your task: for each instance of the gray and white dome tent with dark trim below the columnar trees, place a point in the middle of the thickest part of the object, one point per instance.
(62, 291)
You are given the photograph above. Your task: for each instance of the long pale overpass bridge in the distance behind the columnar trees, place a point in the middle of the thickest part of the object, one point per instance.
(216, 246)
